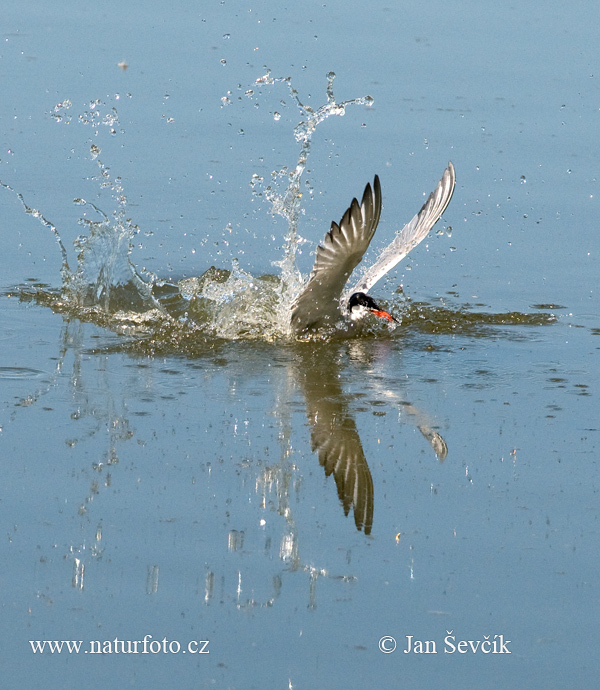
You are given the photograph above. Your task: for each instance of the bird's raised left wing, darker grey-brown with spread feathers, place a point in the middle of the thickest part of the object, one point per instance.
(341, 251)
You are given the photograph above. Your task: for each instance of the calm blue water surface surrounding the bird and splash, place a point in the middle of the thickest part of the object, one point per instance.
(179, 496)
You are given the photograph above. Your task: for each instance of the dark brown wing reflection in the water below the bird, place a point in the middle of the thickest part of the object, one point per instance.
(333, 432)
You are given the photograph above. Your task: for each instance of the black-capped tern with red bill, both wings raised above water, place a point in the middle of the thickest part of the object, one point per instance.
(323, 301)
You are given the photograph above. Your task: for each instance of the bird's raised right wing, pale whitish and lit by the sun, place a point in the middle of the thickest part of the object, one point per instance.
(412, 233)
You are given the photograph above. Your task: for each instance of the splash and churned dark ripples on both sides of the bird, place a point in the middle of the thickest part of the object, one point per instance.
(107, 288)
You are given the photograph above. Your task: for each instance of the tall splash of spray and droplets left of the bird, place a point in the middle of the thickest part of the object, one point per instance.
(226, 304)
